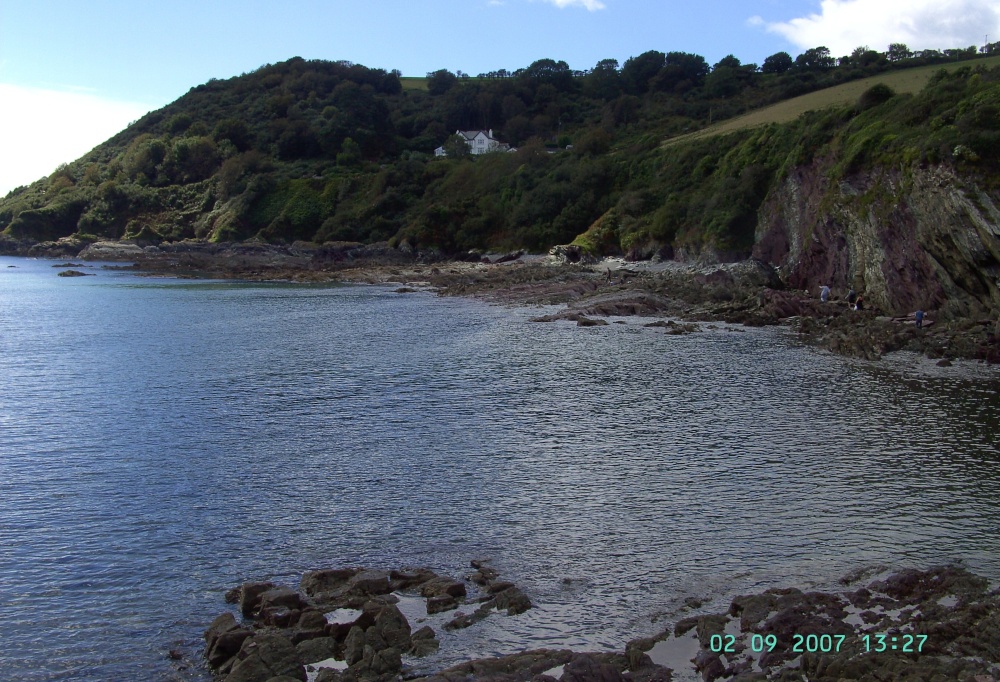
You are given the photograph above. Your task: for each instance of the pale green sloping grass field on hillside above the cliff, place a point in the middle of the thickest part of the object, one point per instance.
(906, 81)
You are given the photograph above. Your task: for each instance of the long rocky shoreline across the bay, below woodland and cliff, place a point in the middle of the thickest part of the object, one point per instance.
(748, 292)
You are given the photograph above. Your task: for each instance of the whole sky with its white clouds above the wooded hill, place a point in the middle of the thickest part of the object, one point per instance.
(74, 73)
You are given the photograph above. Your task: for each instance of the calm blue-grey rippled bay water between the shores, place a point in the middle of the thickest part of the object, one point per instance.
(163, 440)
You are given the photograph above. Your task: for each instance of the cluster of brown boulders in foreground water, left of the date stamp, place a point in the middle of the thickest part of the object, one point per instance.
(345, 614)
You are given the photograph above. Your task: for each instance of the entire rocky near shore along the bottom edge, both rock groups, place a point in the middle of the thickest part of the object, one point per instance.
(345, 625)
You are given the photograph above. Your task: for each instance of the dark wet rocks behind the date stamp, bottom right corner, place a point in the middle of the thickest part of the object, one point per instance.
(921, 625)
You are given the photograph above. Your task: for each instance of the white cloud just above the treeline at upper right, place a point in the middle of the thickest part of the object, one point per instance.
(843, 25)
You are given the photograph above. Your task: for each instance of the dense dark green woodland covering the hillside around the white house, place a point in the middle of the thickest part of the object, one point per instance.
(333, 151)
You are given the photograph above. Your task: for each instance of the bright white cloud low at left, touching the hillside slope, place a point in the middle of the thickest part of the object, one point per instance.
(40, 129)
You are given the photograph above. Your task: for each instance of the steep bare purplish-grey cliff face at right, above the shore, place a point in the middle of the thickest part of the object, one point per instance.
(920, 238)
